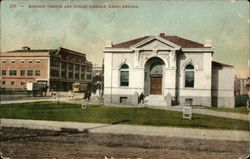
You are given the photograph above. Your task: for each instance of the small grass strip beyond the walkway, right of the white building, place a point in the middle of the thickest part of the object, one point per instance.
(241, 110)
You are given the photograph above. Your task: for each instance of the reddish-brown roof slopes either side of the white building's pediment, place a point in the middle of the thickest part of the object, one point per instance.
(184, 43)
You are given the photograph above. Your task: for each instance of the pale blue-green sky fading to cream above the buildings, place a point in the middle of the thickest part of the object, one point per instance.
(86, 30)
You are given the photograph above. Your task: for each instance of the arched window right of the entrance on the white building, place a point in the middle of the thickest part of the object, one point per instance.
(189, 76)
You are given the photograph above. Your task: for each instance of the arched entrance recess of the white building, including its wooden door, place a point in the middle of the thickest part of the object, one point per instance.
(154, 76)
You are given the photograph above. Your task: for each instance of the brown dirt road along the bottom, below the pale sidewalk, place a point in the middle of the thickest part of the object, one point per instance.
(21, 143)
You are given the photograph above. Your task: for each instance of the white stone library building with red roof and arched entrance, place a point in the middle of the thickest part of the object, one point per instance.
(163, 67)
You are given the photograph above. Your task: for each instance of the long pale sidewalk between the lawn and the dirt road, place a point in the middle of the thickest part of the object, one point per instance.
(130, 129)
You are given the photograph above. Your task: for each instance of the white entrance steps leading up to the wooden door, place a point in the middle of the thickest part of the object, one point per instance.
(156, 100)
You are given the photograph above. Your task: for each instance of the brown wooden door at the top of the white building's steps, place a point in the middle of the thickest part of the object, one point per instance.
(155, 85)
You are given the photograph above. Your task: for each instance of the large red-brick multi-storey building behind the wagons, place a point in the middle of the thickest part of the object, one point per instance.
(59, 68)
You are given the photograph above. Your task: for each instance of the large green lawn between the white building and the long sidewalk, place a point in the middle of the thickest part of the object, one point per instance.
(122, 115)
